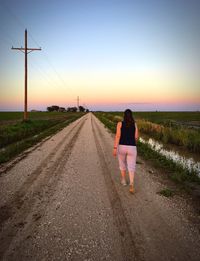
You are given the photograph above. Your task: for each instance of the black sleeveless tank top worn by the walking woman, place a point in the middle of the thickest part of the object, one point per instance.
(127, 135)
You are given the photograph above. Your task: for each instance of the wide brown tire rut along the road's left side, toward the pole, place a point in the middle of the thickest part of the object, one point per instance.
(22, 204)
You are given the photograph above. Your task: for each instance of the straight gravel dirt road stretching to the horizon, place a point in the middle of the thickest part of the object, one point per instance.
(64, 201)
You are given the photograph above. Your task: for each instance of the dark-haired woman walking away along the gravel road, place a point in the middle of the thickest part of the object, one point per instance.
(125, 147)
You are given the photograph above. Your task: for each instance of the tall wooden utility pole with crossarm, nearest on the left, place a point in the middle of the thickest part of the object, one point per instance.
(26, 51)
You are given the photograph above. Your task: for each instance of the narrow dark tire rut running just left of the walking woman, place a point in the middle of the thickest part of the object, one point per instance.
(129, 248)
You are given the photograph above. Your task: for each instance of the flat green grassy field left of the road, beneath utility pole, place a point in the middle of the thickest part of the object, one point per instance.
(17, 135)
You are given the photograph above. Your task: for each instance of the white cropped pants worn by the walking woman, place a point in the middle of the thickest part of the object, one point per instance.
(127, 157)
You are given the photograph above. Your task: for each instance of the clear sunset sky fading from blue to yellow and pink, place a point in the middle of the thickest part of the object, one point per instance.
(113, 54)
